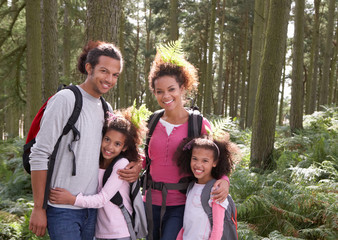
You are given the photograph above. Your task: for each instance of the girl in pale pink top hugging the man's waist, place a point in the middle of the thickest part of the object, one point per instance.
(120, 137)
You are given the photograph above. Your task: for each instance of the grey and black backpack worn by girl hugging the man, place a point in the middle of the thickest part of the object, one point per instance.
(137, 222)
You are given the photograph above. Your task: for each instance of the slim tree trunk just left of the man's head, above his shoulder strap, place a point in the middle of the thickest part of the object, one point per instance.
(66, 46)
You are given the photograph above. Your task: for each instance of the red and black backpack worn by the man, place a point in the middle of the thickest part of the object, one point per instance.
(35, 127)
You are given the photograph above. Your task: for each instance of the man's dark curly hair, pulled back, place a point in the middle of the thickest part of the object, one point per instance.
(93, 50)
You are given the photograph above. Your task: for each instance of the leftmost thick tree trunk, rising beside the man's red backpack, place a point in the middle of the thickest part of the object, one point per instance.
(34, 62)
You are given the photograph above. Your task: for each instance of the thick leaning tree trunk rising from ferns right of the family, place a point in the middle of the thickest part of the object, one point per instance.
(264, 123)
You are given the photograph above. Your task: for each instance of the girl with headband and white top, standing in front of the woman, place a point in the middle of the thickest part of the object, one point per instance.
(206, 159)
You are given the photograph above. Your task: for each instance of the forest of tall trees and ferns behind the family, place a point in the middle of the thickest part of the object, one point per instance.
(247, 62)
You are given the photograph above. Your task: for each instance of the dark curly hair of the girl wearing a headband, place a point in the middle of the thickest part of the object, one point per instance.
(221, 151)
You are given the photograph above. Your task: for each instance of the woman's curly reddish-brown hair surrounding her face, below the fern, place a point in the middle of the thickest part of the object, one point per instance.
(185, 74)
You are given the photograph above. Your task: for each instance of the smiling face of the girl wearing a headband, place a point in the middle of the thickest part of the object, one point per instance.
(201, 163)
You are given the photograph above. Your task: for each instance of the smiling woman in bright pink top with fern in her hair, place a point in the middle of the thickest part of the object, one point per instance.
(171, 78)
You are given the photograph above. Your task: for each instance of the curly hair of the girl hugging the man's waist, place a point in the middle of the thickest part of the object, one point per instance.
(121, 121)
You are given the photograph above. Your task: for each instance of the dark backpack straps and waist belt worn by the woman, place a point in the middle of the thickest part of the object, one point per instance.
(194, 130)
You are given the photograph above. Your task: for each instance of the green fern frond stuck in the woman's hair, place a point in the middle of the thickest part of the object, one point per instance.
(172, 52)
